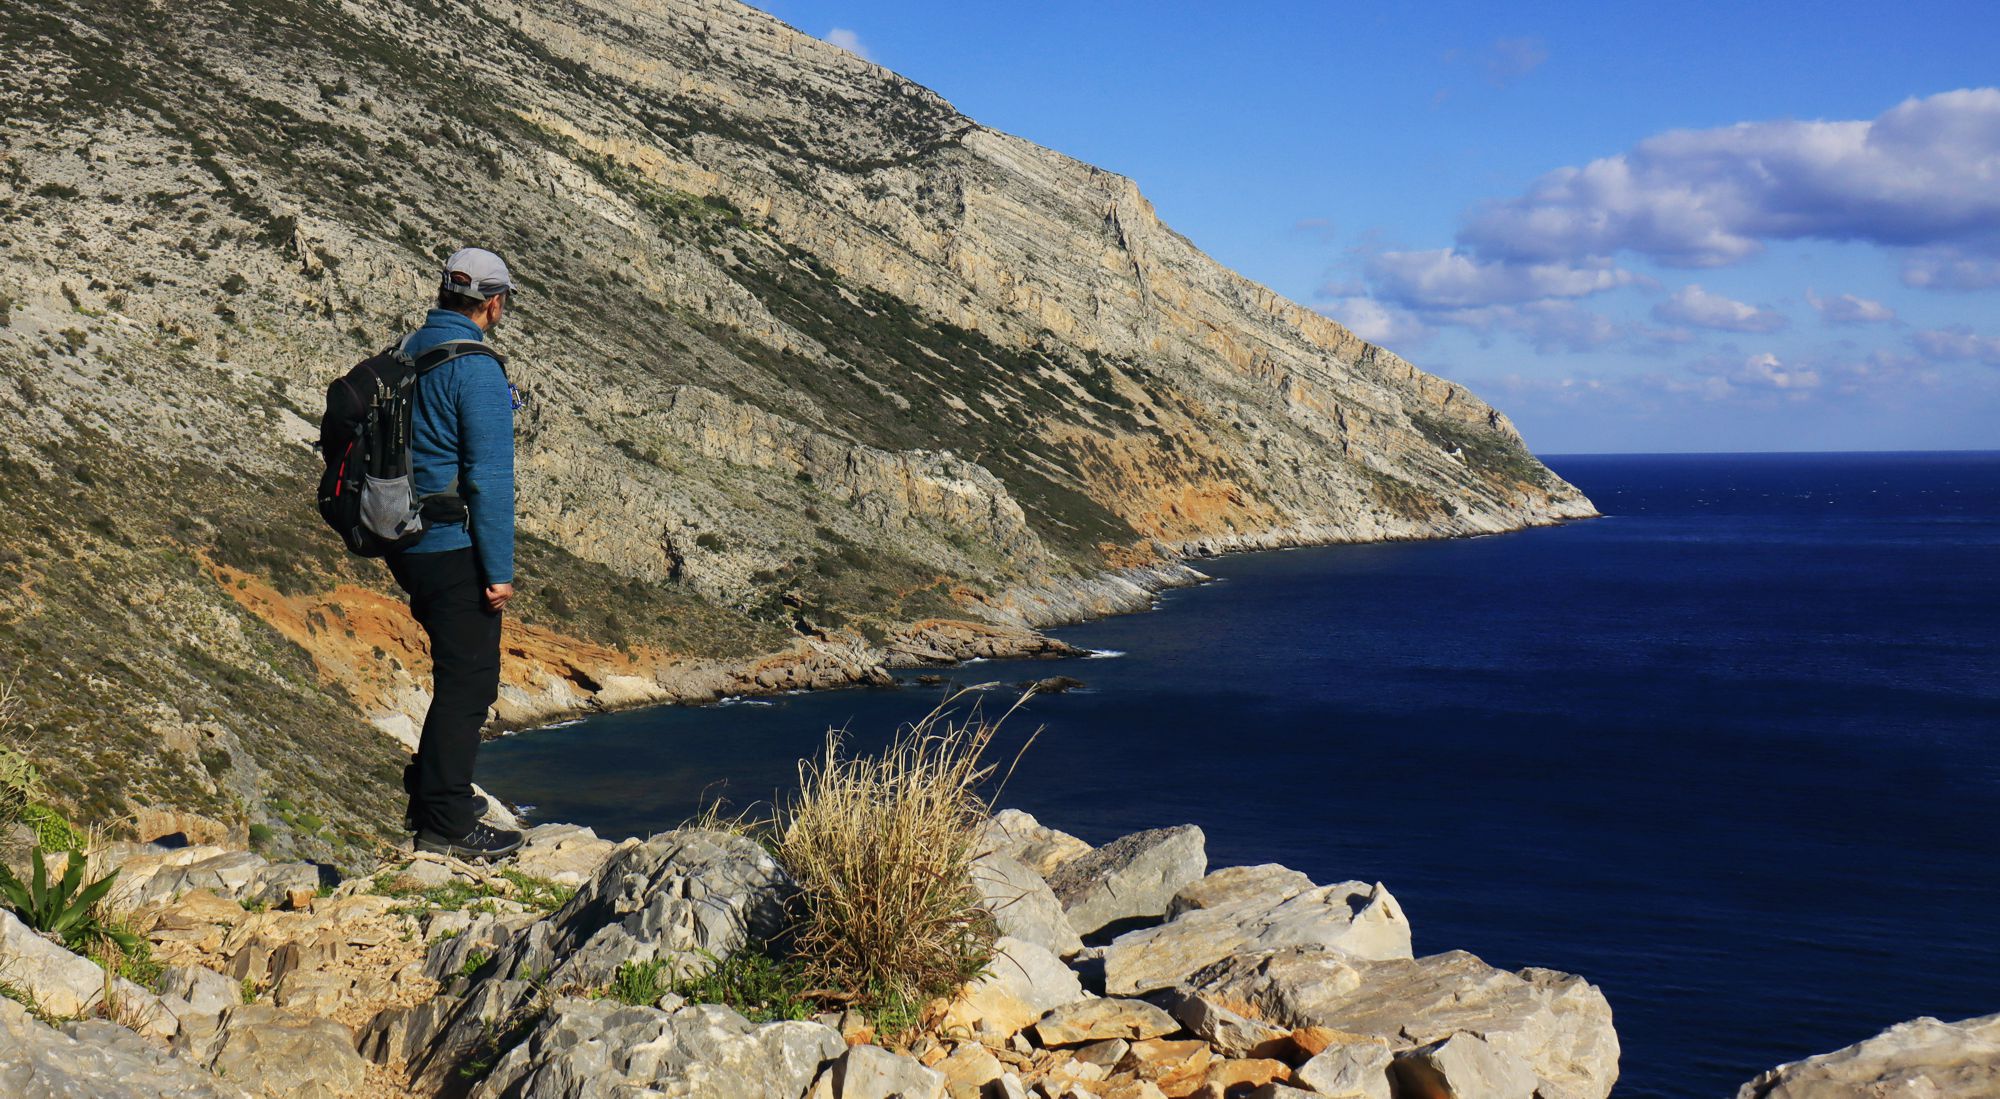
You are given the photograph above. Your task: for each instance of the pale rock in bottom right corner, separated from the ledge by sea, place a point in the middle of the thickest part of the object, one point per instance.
(1917, 1060)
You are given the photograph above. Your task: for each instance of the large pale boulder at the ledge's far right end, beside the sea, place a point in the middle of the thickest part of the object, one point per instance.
(1555, 1022)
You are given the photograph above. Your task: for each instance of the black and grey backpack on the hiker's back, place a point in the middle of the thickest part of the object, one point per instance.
(367, 493)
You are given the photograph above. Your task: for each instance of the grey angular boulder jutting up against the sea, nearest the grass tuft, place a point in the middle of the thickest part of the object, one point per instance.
(1131, 878)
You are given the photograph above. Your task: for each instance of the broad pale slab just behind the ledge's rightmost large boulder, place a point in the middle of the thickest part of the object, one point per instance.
(1263, 912)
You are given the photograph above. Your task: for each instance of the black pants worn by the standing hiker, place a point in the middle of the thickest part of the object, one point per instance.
(449, 600)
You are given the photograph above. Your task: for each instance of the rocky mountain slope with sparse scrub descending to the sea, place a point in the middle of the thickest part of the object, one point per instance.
(823, 377)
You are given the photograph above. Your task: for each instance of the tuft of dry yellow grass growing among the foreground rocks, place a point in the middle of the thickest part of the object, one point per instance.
(883, 850)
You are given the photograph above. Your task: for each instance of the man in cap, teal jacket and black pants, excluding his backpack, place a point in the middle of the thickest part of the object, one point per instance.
(461, 572)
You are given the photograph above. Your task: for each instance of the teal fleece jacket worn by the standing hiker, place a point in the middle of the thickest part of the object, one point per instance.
(463, 429)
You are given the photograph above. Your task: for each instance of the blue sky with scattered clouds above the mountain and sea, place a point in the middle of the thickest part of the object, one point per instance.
(1633, 227)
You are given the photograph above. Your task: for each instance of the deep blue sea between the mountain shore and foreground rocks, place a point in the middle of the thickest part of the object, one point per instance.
(1733, 752)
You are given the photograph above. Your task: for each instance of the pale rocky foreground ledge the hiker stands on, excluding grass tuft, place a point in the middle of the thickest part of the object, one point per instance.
(1123, 972)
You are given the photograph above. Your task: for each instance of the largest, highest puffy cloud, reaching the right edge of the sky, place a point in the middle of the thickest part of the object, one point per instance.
(1921, 175)
